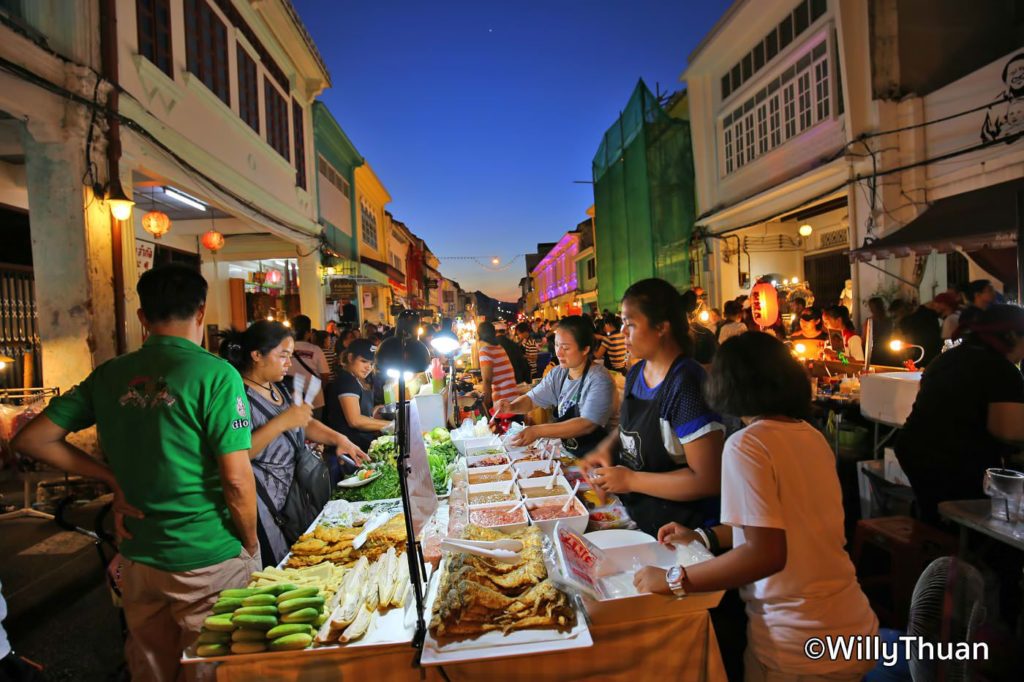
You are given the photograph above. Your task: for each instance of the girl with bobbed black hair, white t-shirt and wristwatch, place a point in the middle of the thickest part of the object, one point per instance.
(783, 519)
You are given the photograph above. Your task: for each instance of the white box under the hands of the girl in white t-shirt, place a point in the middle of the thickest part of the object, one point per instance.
(623, 561)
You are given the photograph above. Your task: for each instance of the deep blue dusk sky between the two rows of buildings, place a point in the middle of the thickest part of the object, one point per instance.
(479, 116)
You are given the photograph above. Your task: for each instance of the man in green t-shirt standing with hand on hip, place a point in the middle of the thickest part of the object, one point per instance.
(174, 424)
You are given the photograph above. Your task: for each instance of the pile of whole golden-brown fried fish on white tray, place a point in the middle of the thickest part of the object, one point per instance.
(478, 595)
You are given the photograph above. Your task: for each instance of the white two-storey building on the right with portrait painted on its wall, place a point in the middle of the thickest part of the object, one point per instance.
(790, 105)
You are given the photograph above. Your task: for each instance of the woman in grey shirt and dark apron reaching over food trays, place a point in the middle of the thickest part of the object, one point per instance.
(580, 391)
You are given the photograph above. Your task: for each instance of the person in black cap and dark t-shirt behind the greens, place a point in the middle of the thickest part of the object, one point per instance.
(351, 400)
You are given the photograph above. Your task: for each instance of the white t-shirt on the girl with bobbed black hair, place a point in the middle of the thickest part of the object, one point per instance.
(783, 476)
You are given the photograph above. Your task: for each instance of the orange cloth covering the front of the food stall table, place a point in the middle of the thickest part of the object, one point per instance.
(684, 649)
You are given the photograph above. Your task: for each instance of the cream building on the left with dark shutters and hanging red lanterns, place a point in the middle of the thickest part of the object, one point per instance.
(211, 126)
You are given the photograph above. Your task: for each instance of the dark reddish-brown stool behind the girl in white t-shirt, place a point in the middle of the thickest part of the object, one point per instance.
(911, 546)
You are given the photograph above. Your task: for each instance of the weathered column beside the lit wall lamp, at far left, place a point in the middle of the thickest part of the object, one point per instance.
(71, 252)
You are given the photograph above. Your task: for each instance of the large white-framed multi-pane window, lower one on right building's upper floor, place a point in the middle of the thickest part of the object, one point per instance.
(798, 98)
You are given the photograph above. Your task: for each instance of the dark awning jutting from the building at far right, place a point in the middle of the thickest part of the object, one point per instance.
(973, 222)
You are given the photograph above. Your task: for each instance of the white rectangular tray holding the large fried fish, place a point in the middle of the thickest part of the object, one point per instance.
(498, 645)
